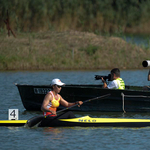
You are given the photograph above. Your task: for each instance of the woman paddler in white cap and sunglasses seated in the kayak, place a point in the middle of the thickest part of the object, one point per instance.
(50, 103)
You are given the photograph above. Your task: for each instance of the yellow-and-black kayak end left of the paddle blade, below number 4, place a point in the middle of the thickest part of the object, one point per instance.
(15, 123)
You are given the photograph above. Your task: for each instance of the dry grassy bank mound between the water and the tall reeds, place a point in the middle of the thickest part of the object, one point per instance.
(68, 50)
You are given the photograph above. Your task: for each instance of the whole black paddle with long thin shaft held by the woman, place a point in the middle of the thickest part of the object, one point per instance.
(35, 120)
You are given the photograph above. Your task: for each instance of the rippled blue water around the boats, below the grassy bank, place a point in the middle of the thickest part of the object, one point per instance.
(73, 137)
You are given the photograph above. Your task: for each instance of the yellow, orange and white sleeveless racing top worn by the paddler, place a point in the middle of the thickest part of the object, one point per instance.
(52, 105)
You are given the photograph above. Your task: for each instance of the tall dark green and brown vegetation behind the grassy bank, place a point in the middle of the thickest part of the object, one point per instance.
(82, 15)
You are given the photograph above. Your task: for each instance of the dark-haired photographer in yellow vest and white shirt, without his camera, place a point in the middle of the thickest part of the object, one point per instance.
(116, 81)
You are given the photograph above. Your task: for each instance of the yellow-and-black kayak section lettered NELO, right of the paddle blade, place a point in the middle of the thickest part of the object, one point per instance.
(87, 121)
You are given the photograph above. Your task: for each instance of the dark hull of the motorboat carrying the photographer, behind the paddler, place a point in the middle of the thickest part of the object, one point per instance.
(32, 97)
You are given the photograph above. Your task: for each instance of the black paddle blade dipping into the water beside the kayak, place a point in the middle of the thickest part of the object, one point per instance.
(34, 120)
